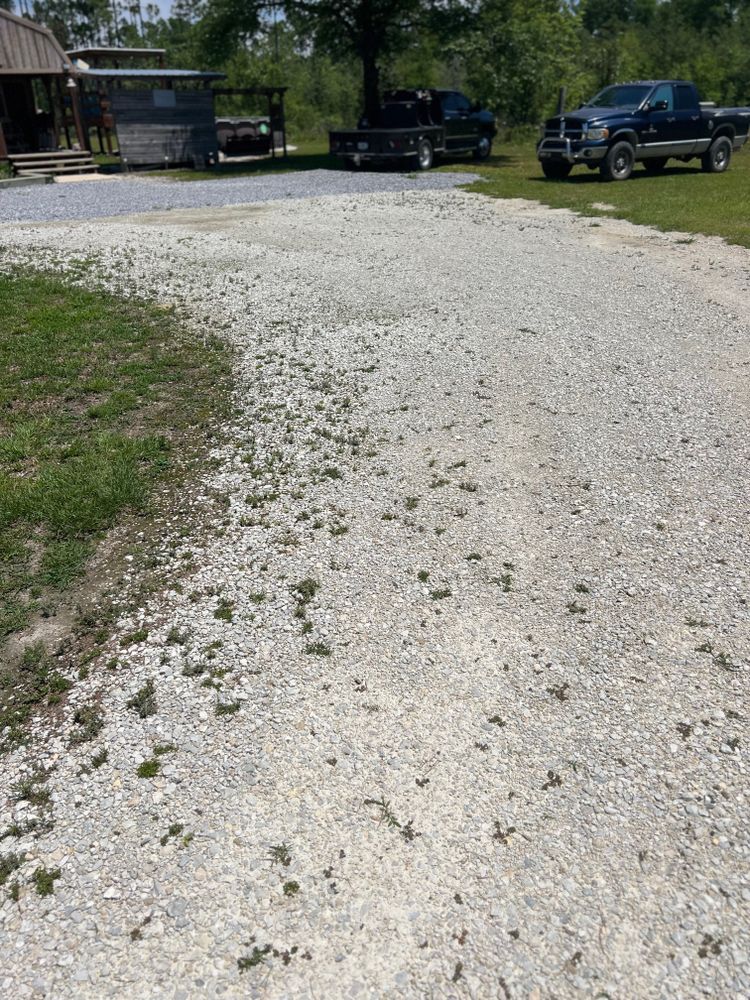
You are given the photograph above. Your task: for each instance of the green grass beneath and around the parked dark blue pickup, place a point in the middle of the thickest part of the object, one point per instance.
(682, 198)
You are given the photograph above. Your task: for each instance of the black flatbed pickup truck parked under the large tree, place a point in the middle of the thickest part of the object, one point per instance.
(416, 126)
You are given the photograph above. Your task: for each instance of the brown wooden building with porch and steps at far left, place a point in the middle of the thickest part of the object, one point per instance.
(38, 94)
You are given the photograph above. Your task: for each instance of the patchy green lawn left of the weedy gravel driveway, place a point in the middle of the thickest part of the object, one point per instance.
(93, 392)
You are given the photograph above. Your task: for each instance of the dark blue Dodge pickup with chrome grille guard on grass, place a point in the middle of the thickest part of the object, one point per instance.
(648, 121)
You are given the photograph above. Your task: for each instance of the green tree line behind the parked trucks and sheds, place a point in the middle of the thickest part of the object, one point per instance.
(336, 56)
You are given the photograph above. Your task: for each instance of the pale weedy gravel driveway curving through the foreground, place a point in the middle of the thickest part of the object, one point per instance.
(475, 626)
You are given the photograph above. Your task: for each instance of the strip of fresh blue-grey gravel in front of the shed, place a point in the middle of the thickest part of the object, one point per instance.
(129, 195)
